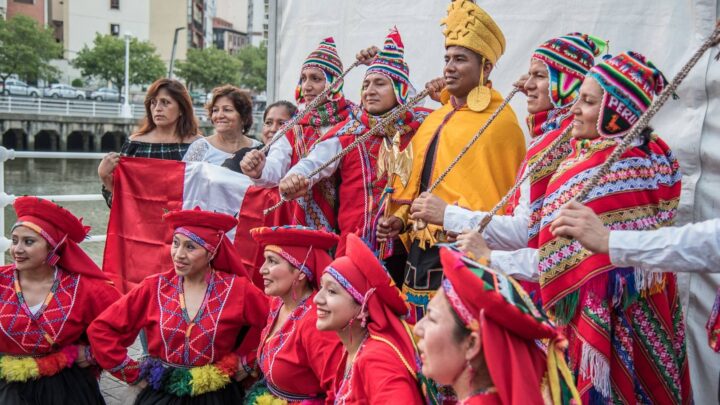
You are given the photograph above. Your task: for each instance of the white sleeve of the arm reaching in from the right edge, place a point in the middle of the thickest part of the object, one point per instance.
(692, 248)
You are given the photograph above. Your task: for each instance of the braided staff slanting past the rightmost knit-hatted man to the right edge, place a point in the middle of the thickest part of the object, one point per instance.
(645, 118)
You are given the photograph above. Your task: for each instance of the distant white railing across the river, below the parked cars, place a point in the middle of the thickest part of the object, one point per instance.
(74, 108)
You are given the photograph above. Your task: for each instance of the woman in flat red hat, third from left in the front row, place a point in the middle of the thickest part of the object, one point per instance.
(297, 360)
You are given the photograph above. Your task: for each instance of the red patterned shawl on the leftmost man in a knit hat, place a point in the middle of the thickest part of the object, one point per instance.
(317, 211)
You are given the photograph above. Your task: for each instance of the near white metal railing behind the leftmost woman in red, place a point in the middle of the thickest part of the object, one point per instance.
(7, 199)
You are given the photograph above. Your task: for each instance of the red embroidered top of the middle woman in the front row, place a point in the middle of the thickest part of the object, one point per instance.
(299, 361)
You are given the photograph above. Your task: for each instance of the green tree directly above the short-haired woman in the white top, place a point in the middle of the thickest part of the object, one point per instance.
(208, 68)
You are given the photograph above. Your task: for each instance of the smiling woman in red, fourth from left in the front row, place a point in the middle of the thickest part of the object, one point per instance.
(360, 302)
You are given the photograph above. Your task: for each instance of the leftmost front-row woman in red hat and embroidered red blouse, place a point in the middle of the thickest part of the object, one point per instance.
(48, 297)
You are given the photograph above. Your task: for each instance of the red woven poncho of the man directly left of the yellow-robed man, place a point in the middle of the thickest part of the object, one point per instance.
(362, 192)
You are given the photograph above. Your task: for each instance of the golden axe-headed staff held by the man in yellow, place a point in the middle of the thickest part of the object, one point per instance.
(395, 163)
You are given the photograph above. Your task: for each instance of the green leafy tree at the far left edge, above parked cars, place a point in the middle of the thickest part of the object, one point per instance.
(26, 50)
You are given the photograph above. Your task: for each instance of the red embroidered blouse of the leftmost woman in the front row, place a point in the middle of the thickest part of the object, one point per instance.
(74, 302)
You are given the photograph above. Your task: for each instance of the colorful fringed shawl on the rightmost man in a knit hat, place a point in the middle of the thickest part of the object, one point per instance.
(627, 339)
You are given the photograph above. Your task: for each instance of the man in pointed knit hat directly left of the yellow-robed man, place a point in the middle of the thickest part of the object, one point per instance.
(386, 86)
